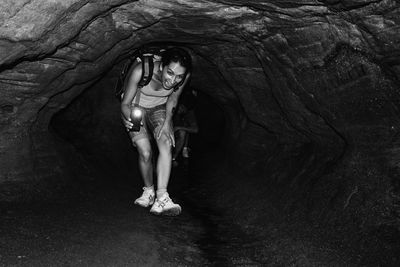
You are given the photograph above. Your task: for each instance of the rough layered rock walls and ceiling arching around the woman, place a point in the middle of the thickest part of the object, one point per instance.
(312, 83)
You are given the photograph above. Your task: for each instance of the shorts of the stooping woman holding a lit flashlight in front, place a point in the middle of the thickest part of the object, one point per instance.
(153, 119)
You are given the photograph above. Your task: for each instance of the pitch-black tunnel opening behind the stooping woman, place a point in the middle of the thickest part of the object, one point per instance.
(91, 123)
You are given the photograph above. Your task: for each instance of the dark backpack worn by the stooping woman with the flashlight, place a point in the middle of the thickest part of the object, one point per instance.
(145, 56)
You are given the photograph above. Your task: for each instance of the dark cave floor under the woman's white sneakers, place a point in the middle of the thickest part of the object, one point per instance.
(99, 226)
